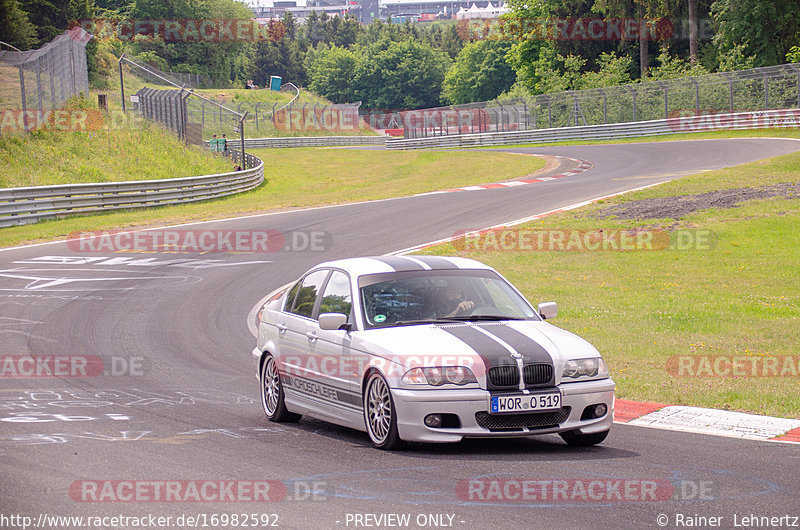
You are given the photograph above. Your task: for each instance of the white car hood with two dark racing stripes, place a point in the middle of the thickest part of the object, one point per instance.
(478, 345)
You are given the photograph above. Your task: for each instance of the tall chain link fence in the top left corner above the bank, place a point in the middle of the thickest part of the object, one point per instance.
(35, 81)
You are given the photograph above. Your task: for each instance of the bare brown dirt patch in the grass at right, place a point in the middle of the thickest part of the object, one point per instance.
(680, 205)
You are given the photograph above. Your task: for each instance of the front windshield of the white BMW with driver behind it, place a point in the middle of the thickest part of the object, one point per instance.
(420, 297)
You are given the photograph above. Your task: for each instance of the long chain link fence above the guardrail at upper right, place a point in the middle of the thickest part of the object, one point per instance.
(767, 88)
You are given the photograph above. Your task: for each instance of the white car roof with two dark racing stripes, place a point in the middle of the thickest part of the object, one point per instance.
(379, 264)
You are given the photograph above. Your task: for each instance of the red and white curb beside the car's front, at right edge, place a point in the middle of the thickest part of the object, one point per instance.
(707, 421)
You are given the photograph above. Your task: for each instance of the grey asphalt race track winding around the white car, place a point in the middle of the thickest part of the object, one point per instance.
(183, 403)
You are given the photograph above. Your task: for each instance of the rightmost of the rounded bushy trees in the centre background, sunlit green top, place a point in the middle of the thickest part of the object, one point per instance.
(479, 73)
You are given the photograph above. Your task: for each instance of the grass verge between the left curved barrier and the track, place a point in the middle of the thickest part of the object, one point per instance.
(302, 177)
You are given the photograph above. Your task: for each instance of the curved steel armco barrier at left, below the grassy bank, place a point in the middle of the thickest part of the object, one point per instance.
(28, 205)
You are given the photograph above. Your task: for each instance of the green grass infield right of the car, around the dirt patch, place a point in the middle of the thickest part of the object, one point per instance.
(639, 308)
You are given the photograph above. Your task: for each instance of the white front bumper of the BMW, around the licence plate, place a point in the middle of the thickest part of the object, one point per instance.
(413, 405)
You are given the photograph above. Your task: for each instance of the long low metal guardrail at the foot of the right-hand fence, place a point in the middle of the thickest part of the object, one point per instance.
(680, 124)
